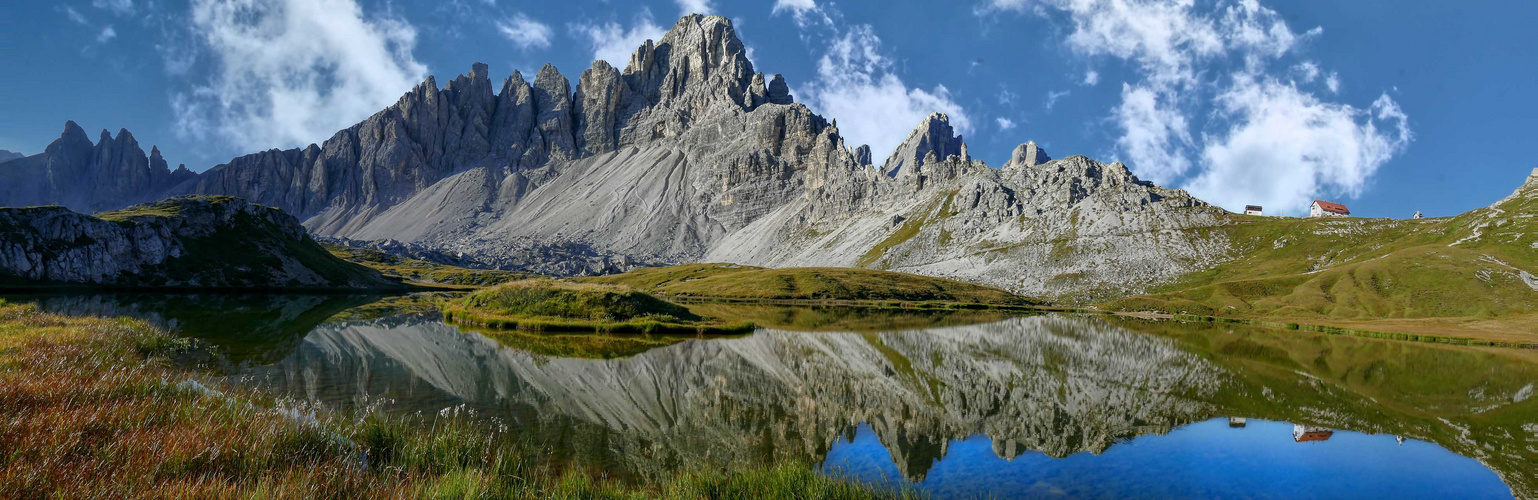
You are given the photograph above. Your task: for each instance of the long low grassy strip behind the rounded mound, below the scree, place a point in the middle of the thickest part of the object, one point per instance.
(813, 285)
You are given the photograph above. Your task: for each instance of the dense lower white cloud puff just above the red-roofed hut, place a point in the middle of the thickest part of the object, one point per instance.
(1287, 147)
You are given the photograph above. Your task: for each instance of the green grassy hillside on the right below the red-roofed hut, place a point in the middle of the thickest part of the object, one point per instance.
(1468, 273)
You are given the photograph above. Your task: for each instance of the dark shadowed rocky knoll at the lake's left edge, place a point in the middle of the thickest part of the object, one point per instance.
(204, 242)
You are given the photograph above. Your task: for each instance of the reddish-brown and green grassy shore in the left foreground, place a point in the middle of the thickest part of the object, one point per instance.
(98, 408)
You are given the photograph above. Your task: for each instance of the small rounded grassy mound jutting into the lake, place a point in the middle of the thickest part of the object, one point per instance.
(567, 307)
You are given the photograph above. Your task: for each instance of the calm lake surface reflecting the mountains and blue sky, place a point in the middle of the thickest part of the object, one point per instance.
(951, 404)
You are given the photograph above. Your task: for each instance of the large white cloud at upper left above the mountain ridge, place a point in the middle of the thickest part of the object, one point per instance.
(288, 73)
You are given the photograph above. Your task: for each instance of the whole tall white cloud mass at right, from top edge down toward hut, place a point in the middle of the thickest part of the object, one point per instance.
(1276, 139)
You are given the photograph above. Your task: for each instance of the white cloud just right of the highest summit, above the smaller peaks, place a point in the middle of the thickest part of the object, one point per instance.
(856, 85)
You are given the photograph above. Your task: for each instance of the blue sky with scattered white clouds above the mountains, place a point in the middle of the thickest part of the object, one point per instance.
(1388, 107)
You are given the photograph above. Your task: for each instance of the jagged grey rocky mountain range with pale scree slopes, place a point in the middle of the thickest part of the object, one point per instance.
(685, 155)
